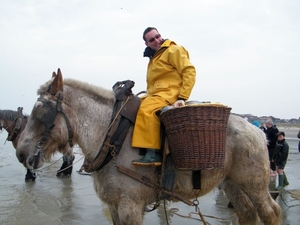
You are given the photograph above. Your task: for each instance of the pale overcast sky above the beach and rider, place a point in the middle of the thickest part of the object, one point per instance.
(246, 53)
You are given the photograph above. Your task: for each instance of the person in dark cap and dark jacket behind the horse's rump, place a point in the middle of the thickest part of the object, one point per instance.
(280, 158)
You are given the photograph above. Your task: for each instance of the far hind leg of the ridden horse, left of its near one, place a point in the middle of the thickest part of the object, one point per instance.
(243, 206)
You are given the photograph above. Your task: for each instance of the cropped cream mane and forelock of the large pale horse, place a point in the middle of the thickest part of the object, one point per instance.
(79, 85)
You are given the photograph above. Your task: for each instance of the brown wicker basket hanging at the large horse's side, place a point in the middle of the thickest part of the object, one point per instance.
(197, 135)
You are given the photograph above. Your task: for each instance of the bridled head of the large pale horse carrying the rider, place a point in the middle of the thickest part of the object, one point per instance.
(48, 128)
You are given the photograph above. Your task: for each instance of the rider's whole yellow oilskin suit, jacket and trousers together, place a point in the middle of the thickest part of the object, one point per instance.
(170, 77)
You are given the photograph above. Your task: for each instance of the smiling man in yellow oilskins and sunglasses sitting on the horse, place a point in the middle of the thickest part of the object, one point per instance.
(170, 80)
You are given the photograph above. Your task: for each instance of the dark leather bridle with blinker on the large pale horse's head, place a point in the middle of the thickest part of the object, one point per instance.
(47, 114)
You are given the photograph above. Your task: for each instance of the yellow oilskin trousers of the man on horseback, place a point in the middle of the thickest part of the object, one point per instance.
(146, 132)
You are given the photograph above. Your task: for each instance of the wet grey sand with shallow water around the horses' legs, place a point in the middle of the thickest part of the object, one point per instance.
(72, 201)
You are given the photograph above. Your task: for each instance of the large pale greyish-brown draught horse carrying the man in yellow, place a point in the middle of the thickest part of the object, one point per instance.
(89, 109)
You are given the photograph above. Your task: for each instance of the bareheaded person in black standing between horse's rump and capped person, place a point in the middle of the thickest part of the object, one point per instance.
(271, 134)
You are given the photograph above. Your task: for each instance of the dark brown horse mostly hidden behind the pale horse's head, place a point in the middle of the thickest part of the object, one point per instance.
(14, 123)
